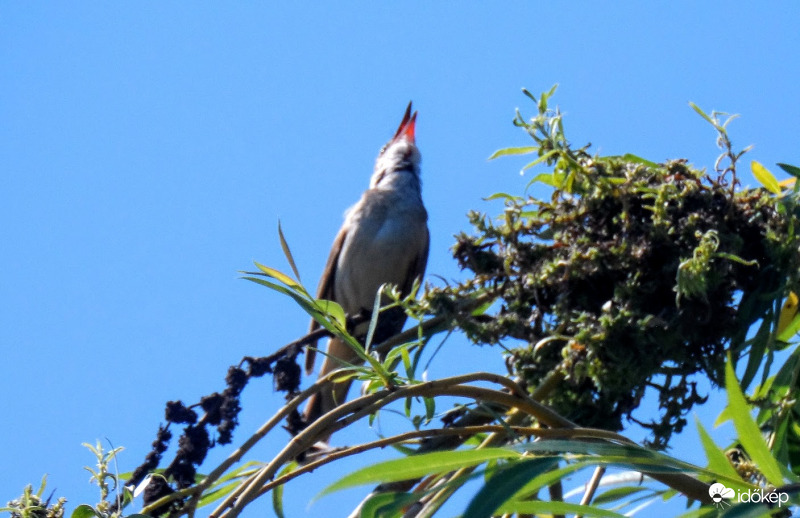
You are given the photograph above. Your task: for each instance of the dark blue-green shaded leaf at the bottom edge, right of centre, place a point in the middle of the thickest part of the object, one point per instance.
(505, 483)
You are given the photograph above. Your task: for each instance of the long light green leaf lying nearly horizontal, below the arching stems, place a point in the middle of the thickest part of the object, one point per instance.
(418, 466)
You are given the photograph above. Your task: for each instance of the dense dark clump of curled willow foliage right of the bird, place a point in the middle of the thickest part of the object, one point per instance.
(632, 275)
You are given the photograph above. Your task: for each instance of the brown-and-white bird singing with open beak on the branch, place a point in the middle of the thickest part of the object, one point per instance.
(384, 239)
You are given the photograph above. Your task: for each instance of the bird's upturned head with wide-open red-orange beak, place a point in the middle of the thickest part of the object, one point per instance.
(400, 156)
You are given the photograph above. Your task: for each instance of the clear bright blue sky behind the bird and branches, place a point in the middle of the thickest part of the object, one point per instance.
(148, 150)
